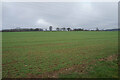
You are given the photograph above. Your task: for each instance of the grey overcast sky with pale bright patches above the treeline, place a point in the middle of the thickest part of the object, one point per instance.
(89, 15)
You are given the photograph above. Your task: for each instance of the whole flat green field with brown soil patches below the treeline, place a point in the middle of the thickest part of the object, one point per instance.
(60, 54)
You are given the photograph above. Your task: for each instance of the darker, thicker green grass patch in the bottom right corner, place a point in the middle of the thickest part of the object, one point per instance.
(102, 69)
